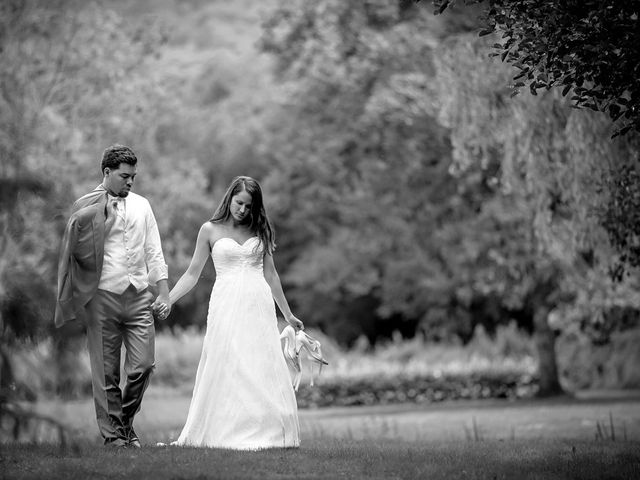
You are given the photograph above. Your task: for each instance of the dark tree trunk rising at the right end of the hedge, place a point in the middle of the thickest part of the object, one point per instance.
(545, 341)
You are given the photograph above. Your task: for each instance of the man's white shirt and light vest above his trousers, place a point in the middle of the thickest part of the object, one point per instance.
(132, 248)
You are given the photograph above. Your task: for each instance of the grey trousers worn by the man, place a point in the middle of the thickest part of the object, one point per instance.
(114, 320)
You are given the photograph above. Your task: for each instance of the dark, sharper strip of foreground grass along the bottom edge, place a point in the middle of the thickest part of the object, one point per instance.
(334, 459)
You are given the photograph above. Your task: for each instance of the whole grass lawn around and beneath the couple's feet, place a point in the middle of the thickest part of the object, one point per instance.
(551, 439)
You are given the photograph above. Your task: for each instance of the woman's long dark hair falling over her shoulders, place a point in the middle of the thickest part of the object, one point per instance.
(260, 224)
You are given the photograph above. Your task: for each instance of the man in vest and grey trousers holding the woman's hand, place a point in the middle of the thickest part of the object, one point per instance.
(110, 254)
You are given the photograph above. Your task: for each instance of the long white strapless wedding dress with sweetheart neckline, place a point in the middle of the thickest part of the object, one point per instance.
(243, 398)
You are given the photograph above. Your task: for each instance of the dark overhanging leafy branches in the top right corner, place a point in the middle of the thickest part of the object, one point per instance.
(593, 49)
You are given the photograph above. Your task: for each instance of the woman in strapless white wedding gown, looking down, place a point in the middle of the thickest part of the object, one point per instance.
(243, 397)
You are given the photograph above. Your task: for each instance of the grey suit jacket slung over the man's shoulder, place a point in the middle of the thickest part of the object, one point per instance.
(81, 256)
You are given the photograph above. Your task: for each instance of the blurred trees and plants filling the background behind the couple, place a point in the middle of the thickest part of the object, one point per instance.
(421, 209)
